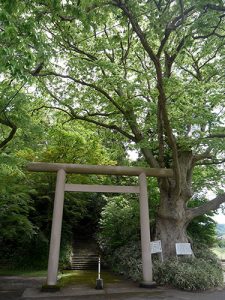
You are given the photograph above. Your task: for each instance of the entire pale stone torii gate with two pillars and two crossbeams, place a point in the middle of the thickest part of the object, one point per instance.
(62, 187)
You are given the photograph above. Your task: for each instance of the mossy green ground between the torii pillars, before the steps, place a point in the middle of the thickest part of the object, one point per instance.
(70, 277)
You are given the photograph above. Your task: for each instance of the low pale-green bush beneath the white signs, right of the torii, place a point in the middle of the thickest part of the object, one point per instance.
(188, 274)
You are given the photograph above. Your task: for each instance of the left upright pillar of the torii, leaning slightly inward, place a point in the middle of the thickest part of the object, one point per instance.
(53, 260)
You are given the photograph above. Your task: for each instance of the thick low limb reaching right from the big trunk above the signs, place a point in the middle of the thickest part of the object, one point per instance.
(206, 207)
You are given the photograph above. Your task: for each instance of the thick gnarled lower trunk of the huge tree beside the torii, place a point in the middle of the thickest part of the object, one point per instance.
(172, 217)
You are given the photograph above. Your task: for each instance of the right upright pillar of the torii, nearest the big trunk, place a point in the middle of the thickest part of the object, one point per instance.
(145, 233)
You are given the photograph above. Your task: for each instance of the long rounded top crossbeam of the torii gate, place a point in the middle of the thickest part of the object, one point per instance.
(96, 169)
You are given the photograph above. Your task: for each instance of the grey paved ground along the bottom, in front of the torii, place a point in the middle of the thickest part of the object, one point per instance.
(13, 287)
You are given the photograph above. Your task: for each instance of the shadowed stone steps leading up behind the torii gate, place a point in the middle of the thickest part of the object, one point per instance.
(85, 255)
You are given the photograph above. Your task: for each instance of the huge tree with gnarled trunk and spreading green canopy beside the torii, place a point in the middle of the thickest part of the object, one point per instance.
(151, 72)
